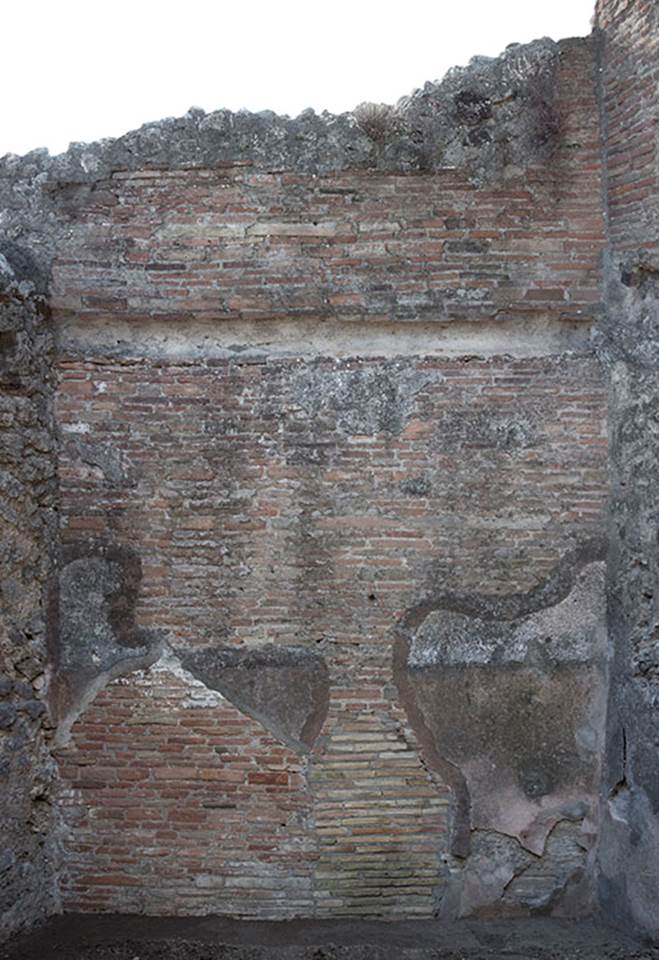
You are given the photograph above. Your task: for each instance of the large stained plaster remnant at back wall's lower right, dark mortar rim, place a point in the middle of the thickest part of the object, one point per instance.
(507, 696)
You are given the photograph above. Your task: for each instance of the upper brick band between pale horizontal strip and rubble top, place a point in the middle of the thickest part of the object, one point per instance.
(238, 243)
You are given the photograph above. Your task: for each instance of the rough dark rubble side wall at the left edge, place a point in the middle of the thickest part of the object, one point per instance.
(28, 859)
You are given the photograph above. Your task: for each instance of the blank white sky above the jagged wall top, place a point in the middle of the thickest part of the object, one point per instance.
(86, 69)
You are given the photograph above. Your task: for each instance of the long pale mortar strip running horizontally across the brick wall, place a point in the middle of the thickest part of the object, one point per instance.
(235, 339)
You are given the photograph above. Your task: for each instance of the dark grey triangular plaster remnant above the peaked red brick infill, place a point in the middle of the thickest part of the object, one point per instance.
(284, 688)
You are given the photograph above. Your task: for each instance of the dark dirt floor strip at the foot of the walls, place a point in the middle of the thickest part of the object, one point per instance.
(76, 937)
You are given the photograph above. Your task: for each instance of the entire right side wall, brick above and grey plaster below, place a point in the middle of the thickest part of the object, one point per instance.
(629, 875)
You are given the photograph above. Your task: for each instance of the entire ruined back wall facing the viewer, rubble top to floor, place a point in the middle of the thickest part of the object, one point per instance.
(327, 633)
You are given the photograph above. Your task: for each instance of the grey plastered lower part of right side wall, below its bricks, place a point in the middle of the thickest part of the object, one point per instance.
(628, 877)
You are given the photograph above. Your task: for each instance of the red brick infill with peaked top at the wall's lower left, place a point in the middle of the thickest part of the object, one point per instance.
(178, 803)
